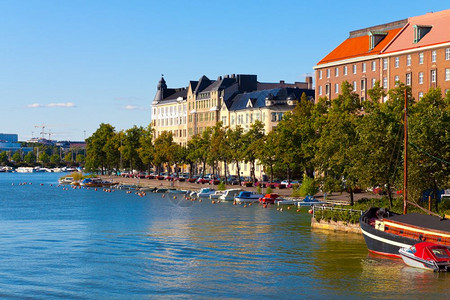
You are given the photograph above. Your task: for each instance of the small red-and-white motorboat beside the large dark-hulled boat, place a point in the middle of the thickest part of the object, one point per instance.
(426, 255)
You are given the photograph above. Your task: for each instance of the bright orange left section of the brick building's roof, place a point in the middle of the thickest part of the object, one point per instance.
(357, 46)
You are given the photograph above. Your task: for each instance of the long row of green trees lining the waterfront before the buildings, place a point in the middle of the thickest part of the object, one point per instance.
(344, 143)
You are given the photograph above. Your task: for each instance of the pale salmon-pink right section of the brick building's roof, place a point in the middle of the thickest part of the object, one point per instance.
(439, 33)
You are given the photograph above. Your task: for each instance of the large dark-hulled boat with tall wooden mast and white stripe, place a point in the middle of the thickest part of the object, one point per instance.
(386, 232)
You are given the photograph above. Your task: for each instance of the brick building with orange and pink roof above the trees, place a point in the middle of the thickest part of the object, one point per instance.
(412, 51)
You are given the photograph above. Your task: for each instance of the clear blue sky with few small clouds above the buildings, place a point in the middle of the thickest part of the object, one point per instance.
(71, 65)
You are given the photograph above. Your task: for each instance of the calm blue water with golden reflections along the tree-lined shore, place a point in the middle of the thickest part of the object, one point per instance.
(86, 244)
